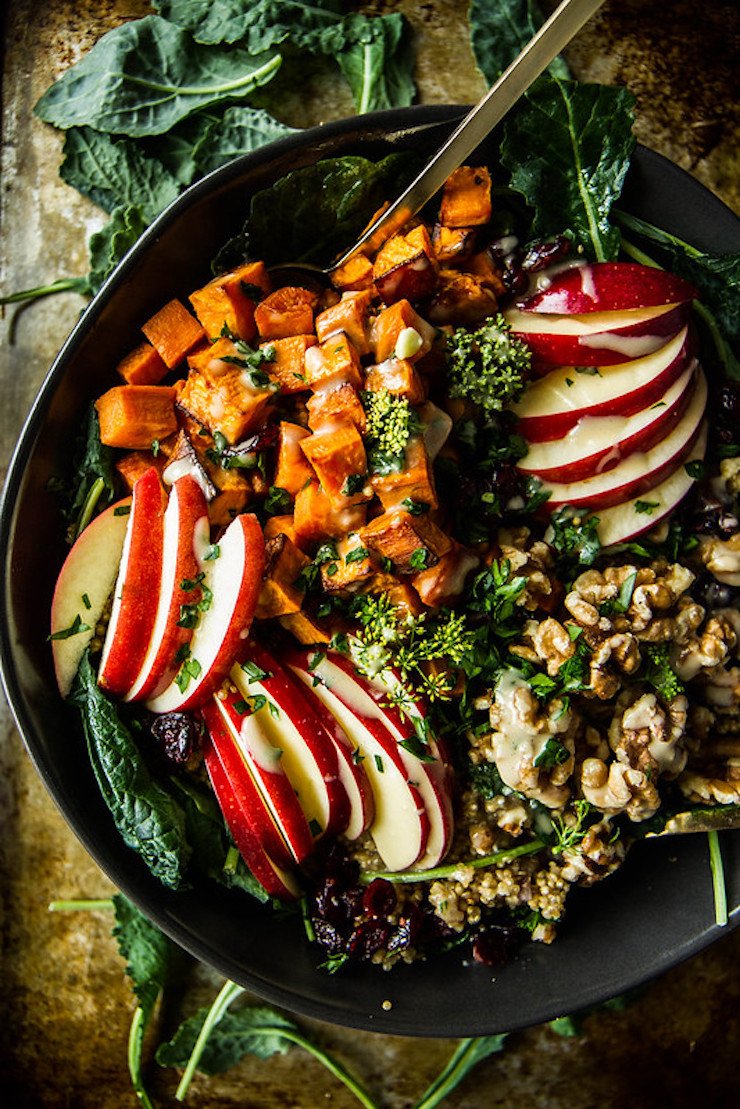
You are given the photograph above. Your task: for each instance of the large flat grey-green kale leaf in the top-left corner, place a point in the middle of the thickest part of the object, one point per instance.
(146, 76)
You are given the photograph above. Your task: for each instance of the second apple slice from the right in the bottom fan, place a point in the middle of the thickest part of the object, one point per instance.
(401, 827)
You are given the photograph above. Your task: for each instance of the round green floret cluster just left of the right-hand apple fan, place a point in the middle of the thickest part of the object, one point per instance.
(490, 365)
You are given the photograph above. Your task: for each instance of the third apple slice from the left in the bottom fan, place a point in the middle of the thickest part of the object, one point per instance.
(310, 758)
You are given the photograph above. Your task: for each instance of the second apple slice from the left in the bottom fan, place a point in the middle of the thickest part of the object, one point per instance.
(256, 744)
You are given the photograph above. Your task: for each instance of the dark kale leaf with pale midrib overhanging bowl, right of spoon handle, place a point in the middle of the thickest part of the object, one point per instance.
(567, 148)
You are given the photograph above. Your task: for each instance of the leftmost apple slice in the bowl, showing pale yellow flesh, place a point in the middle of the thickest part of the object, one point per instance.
(89, 571)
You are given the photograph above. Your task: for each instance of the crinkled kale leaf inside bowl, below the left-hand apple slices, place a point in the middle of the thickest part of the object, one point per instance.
(148, 818)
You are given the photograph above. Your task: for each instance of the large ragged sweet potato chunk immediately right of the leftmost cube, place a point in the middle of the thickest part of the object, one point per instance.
(220, 394)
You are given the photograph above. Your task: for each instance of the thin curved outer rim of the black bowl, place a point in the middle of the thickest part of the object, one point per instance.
(400, 123)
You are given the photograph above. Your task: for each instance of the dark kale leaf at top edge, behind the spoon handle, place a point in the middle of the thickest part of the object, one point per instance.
(500, 30)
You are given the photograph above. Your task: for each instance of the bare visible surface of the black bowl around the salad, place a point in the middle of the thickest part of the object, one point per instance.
(657, 911)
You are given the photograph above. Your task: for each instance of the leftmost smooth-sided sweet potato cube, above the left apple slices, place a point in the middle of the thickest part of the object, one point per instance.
(134, 416)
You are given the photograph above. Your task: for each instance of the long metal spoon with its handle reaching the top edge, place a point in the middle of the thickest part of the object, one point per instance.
(546, 45)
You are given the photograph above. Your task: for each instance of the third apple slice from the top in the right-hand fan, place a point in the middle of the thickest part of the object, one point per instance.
(552, 406)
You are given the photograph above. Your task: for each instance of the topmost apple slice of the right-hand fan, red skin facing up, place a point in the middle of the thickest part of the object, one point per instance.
(610, 287)
